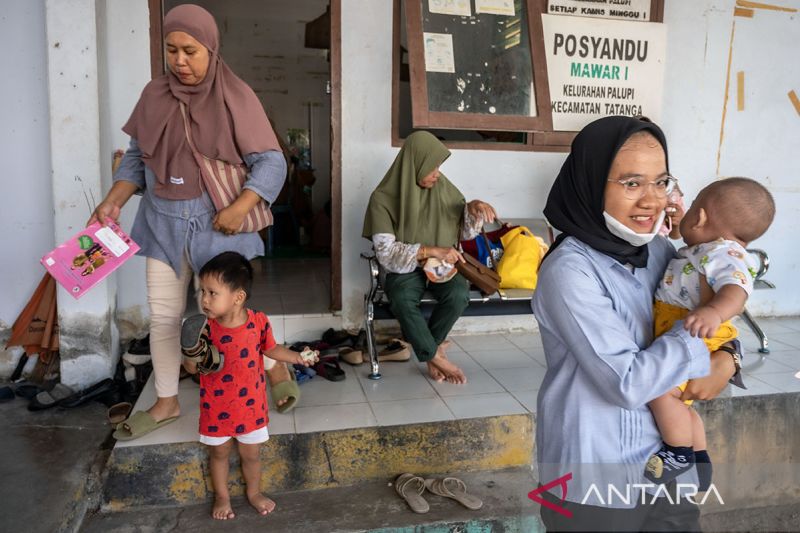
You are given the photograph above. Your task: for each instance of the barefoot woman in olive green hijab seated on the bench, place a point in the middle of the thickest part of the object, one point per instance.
(414, 215)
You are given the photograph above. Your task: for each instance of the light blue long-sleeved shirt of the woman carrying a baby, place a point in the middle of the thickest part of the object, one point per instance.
(595, 316)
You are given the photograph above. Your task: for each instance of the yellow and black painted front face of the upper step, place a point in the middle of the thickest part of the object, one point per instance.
(177, 474)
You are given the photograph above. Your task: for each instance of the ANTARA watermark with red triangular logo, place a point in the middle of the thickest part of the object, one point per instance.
(630, 494)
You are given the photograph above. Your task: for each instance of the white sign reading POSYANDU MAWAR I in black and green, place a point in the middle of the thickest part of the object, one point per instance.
(598, 68)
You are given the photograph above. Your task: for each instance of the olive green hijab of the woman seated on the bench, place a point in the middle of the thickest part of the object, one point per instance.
(412, 214)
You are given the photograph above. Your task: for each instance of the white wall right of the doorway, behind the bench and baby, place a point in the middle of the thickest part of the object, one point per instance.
(757, 141)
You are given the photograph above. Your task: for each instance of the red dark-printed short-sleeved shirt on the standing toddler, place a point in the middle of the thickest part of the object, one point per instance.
(233, 400)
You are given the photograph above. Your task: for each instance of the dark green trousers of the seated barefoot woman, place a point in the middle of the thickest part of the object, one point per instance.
(405, 292)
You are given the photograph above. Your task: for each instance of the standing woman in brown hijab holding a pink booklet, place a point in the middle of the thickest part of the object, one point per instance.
(176, 224)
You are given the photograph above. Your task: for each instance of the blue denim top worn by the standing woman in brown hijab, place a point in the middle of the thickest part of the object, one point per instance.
(165, 229)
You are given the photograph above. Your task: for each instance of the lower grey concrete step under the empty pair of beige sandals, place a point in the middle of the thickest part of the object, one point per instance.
(368, 507)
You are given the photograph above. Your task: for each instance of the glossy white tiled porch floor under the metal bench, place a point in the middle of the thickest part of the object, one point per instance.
(504, 373)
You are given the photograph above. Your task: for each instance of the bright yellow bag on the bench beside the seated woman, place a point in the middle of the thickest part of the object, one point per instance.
(519, 266)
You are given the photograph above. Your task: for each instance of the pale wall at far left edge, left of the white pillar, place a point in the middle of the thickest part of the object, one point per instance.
(26, 218)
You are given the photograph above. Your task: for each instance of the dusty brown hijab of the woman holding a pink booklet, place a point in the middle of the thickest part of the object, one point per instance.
(227, 120)
